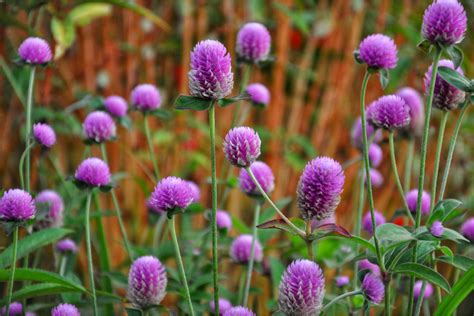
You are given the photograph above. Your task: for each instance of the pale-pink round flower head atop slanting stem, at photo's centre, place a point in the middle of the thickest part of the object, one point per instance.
(242, 146)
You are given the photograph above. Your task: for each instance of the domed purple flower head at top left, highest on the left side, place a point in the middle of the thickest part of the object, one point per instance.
(35, 51)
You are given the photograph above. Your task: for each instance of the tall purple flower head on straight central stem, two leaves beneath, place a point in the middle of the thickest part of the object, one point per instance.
(211, 74)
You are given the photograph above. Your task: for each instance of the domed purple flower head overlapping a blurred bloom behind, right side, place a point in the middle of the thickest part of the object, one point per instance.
(389, 112)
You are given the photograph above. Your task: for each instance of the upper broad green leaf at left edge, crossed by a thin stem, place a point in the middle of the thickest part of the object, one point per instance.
(31, 243)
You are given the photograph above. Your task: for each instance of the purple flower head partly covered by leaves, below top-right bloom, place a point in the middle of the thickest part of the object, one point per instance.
(446, 97)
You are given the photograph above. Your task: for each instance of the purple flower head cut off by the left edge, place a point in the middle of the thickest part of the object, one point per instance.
(16, 206)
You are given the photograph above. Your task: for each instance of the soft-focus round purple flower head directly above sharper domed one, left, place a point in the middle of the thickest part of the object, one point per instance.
(99, 127)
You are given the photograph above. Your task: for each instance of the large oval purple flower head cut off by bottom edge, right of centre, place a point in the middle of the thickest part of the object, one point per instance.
(301, 290)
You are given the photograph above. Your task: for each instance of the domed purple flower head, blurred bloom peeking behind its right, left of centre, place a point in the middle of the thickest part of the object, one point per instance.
(171, 194)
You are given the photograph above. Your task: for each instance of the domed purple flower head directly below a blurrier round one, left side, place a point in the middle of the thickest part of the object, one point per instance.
(93, 172)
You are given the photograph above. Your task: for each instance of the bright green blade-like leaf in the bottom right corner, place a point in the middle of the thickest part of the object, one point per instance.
(463, 287)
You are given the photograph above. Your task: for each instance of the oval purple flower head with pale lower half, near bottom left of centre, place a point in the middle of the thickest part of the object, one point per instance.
(146, 282)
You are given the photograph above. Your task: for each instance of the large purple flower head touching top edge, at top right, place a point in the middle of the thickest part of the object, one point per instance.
(444, 22)
